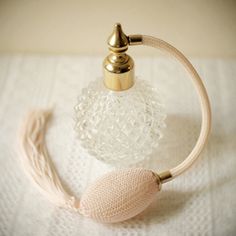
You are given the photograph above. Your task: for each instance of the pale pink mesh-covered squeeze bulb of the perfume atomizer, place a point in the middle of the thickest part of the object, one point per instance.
(119, 195)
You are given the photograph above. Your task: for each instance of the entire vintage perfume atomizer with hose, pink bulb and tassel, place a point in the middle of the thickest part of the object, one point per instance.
(118, 121)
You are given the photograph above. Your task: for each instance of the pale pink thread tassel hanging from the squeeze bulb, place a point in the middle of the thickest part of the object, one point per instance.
(37, 163)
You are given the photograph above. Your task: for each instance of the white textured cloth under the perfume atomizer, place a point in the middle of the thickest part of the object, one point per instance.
(201, 202)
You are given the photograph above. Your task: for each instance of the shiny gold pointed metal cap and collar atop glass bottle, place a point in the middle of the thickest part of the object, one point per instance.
(118, 67)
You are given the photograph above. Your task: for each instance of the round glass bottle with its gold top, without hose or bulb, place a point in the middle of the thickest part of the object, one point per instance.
(119, 118)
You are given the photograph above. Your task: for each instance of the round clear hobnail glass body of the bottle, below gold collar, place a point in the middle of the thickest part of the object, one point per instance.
(119, 128)
